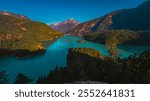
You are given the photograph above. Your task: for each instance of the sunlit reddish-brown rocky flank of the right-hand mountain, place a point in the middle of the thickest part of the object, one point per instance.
(98, 24)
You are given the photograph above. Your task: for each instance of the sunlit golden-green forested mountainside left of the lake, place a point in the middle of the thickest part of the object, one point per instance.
(19, 33)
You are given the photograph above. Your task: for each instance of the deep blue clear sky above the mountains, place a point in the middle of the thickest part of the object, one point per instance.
(53, 11)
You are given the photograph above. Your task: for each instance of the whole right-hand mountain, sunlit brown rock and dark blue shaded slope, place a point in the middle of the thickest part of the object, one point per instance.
(135, 19)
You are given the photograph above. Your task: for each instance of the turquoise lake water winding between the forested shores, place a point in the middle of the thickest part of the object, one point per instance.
(55, 55)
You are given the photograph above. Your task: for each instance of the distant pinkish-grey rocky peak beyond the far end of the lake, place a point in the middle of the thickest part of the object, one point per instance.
(65, 26)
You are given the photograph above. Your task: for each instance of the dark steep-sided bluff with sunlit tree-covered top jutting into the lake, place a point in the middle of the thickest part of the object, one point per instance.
(83, 57)
